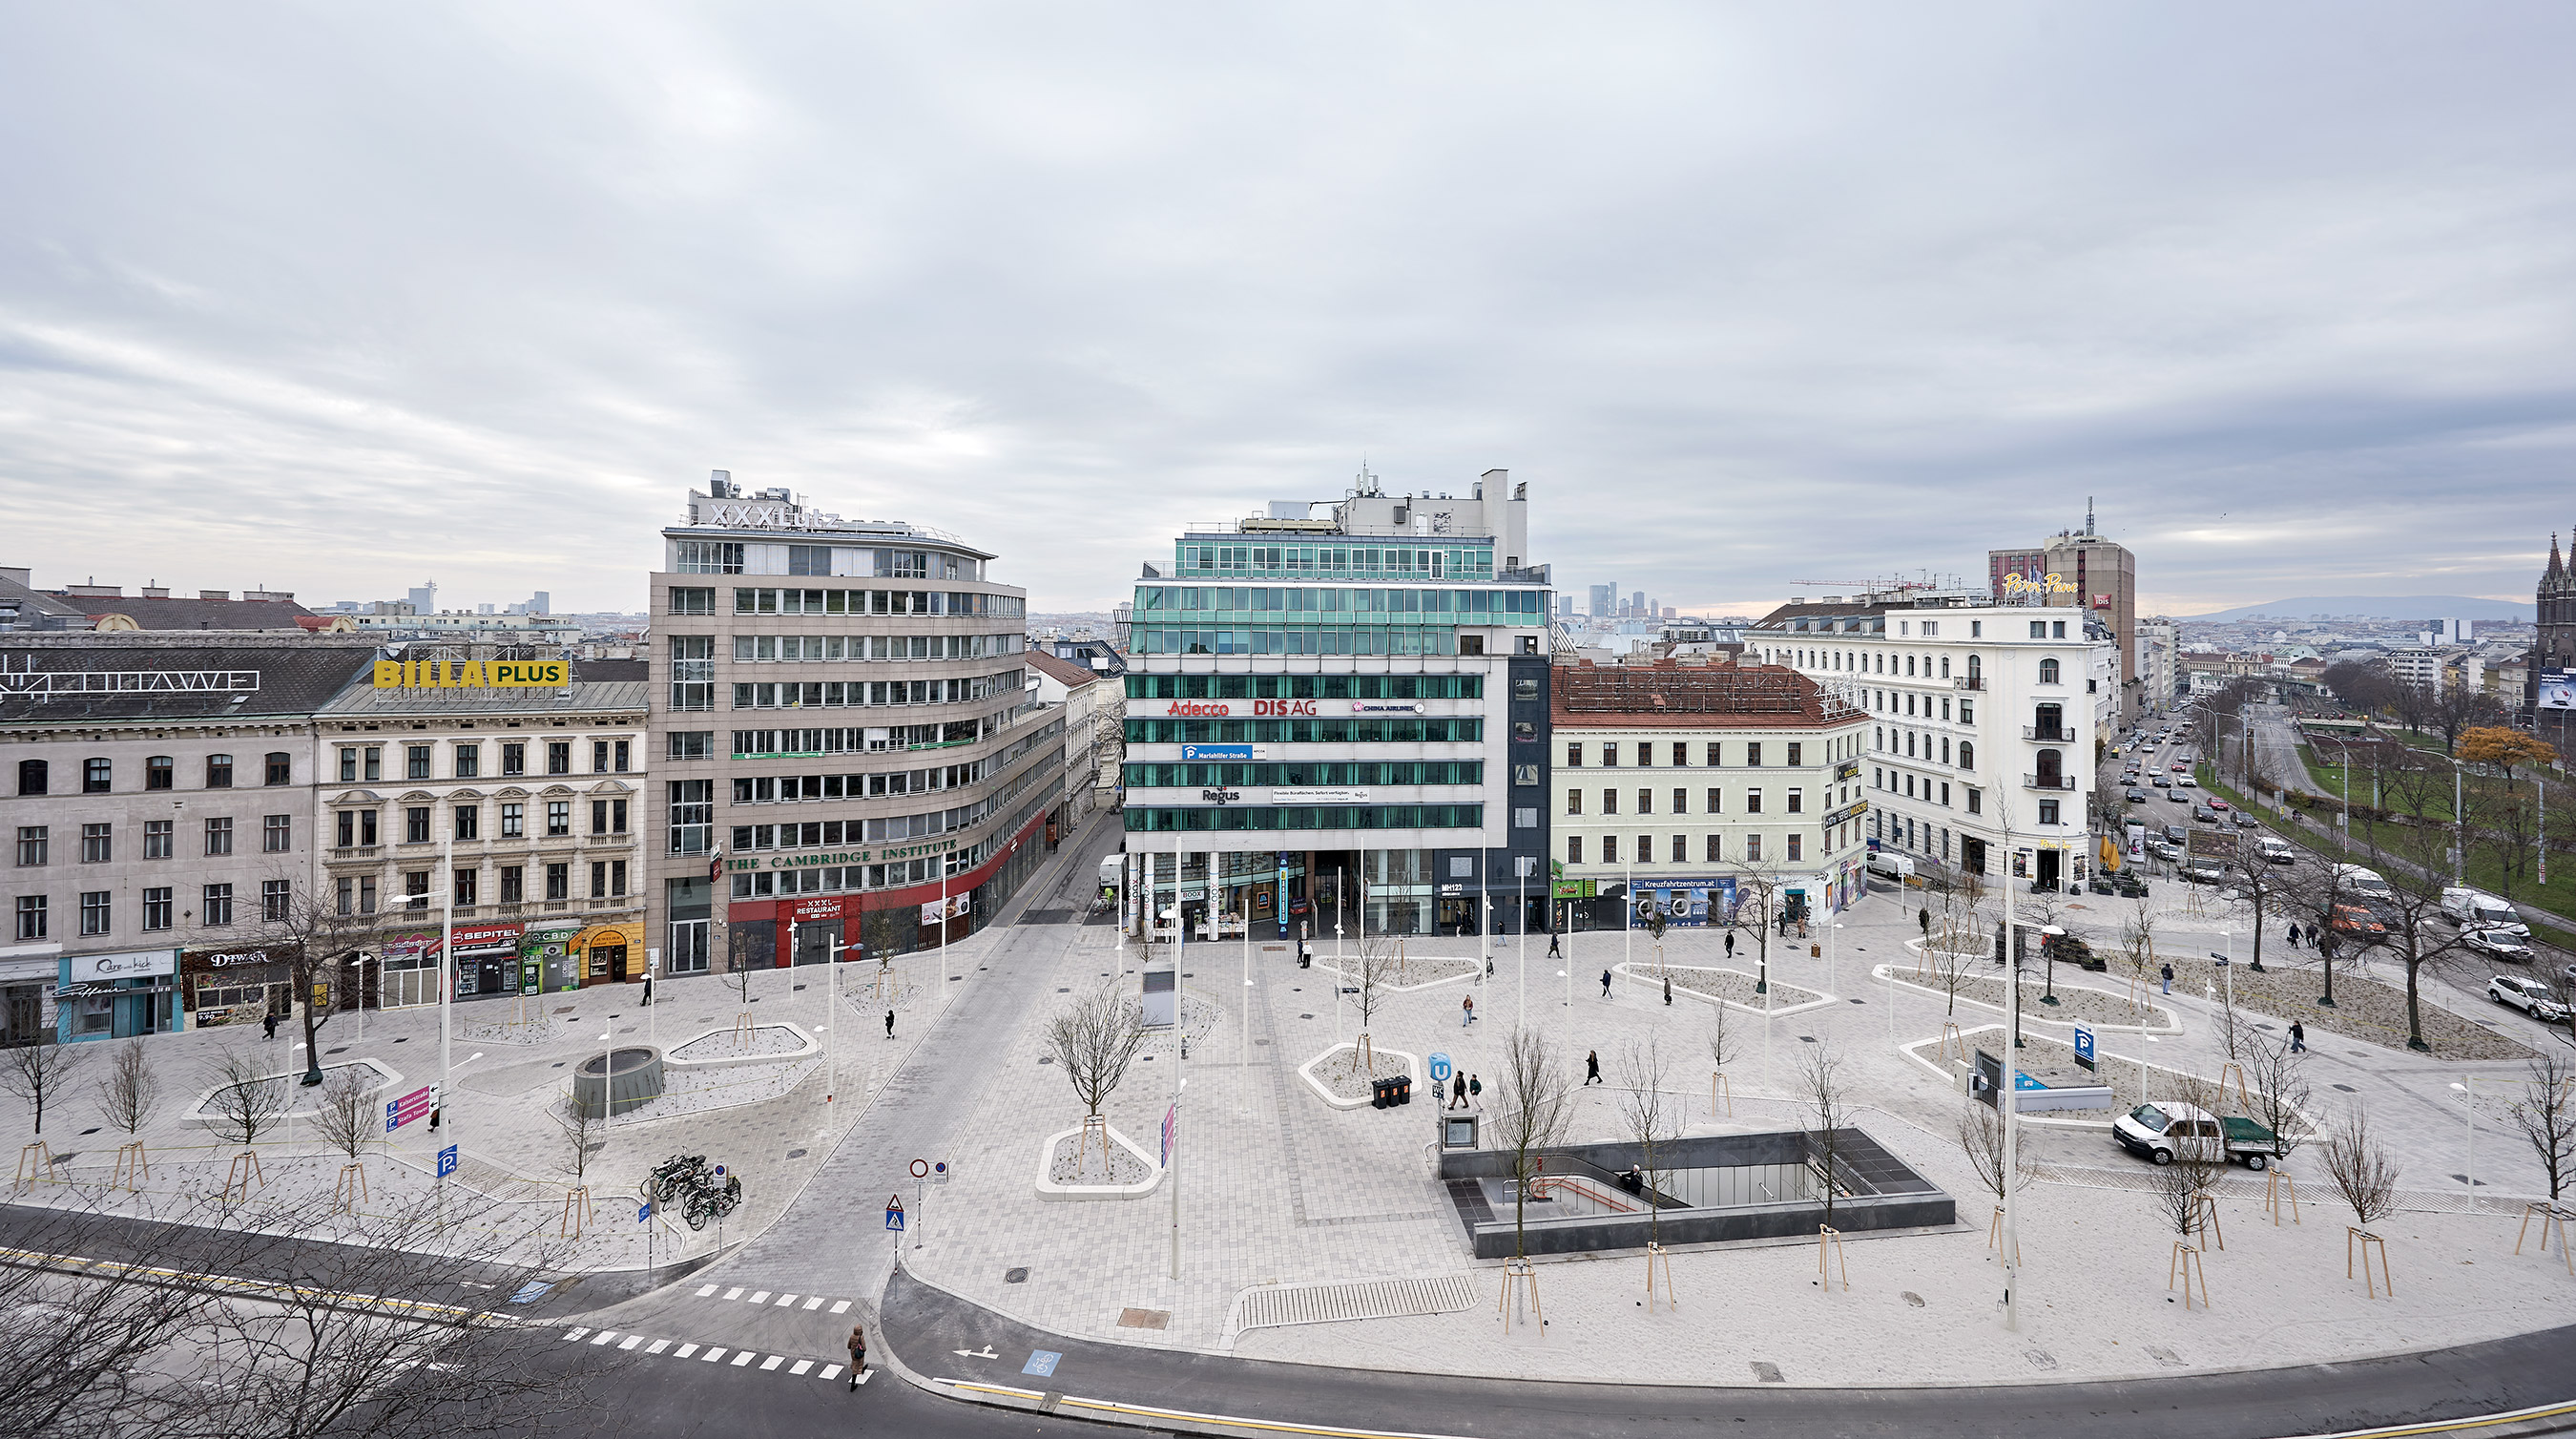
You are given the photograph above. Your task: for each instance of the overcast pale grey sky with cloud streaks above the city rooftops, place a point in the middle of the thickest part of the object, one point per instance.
(346, 297)
